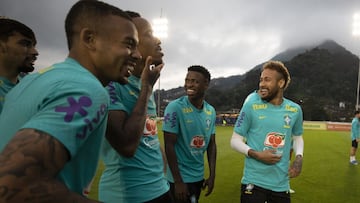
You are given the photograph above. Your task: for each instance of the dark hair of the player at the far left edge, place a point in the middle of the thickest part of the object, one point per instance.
(9, 27)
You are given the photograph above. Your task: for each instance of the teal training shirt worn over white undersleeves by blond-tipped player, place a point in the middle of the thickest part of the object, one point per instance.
(266, 126)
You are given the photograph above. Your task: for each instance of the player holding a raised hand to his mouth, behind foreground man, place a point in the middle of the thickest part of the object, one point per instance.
(131, 153)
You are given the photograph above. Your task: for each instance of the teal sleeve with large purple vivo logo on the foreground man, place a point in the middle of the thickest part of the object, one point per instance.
(71, 114)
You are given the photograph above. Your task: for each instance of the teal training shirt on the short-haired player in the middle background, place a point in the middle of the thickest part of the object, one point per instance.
(193, 128)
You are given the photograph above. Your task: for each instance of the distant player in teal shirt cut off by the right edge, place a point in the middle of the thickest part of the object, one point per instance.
(355, 137)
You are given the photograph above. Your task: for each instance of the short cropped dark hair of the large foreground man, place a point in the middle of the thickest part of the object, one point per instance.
(88, 13)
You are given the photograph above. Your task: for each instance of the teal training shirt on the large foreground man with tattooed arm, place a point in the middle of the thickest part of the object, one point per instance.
(67, 102)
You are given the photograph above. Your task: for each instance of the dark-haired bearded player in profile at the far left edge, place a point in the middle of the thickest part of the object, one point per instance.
(17, 54)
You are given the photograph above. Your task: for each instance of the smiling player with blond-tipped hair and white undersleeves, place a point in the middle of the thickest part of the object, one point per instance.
(268, 122)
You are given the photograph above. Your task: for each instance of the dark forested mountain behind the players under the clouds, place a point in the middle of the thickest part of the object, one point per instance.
(323, 82)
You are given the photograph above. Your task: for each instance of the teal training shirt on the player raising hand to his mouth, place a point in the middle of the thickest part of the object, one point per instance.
(141, 177)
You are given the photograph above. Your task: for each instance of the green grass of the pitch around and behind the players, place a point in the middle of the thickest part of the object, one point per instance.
(327, 176)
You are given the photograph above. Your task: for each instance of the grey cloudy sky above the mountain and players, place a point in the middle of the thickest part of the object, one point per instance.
(229, 37)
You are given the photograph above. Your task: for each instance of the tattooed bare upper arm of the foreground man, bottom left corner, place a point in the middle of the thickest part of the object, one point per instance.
(28, 167)
